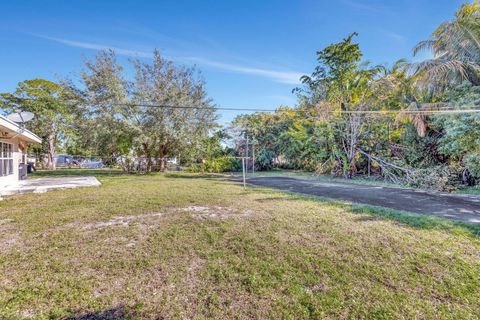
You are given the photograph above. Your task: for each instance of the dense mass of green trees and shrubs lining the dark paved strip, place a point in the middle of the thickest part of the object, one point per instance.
(410, 123)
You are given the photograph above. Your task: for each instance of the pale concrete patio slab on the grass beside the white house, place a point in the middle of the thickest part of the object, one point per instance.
(41, 185)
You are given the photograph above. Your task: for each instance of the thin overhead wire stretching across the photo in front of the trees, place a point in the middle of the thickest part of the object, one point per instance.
(263, 109)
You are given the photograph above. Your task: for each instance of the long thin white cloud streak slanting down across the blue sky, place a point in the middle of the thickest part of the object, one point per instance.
(288, 77)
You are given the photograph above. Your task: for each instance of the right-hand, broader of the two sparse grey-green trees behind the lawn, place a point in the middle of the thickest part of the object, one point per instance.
(180, 116)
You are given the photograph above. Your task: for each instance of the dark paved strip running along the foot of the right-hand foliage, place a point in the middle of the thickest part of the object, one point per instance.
(452, 206)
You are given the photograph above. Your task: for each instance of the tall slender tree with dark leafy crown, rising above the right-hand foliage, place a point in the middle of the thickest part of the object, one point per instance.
(341, 83)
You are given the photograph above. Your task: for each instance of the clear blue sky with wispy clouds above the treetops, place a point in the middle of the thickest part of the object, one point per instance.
(251, 53)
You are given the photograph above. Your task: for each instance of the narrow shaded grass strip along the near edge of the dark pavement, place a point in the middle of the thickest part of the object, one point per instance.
(410, 219)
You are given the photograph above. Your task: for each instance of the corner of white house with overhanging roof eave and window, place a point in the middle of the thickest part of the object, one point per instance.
(14, 141)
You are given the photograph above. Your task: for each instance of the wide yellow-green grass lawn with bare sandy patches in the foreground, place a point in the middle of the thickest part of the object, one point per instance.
(186, 246)
